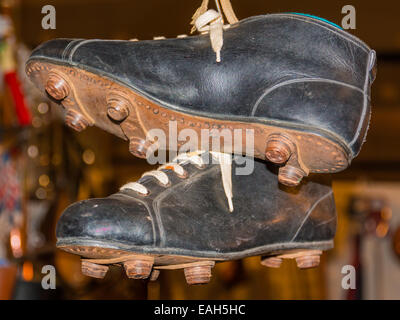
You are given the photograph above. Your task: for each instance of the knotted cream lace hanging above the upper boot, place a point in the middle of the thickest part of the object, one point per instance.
(212, 22)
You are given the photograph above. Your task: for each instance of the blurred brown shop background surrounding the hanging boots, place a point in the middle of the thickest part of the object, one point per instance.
(45, 166)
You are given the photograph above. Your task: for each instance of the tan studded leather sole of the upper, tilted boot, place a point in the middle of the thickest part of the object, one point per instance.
(90, 99)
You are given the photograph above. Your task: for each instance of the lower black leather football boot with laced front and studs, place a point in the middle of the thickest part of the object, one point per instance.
(190, 214)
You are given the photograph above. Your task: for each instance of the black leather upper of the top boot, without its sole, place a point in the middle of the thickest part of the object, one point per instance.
(286, 68)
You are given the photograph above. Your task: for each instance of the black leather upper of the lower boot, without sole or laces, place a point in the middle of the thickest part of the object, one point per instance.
(192, 214)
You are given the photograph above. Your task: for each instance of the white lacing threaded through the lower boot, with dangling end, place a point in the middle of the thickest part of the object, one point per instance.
(224, 160)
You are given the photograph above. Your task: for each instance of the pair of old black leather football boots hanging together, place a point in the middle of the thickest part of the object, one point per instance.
(298, 83)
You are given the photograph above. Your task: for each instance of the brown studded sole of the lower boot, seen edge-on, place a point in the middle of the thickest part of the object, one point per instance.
(139, 264)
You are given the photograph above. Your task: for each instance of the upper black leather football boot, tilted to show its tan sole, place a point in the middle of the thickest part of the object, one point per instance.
(301, 83)
